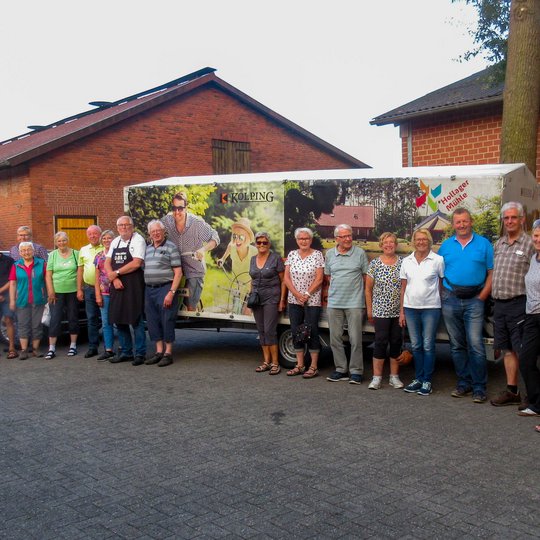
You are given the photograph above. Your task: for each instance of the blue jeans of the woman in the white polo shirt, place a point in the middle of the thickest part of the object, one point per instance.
(422, 325)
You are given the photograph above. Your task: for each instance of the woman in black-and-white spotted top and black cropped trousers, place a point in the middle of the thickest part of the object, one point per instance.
(383, 291)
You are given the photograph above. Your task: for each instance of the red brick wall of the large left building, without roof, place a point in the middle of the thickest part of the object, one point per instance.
(175, 139)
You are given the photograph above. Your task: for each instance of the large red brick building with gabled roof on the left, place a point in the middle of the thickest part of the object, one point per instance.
(70, 174)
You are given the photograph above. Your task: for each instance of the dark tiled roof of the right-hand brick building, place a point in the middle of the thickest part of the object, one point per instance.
(478, 89)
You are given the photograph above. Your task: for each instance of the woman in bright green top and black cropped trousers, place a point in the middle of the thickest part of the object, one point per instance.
(61, 279)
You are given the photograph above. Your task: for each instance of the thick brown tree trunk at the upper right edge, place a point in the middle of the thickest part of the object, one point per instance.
(522, 85)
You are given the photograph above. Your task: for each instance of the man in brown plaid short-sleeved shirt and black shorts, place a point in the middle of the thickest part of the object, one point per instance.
(512, 256)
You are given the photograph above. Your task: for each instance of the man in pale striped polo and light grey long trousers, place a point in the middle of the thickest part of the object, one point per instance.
(347, 266)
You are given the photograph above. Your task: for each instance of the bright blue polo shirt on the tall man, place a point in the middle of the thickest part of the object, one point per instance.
(466, 265)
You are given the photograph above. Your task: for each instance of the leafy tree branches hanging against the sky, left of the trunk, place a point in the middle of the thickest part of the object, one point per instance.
(491, 32)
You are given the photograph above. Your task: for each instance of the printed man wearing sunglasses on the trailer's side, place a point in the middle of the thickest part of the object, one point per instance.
(194, 238)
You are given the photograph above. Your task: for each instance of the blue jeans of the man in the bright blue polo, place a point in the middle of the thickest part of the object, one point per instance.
(464, 321)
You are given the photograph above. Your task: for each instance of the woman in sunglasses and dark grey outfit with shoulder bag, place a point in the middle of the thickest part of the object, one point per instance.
(267, 299)
